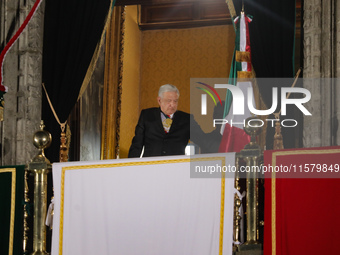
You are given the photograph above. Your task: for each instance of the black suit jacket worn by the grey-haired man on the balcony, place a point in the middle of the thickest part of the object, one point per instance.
(150, 134)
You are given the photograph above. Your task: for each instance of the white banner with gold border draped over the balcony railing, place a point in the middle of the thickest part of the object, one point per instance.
(147, 206)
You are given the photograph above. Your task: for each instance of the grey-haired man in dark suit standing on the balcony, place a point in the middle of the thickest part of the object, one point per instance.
(162, 130)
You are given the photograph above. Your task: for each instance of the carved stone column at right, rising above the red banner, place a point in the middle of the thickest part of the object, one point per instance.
(321, 47)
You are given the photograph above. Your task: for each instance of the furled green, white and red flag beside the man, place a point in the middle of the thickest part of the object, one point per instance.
(233, 136)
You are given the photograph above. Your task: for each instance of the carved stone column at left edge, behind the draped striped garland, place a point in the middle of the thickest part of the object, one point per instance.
(22, 76)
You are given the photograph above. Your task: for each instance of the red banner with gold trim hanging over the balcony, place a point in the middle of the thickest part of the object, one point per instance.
(302, 208)
